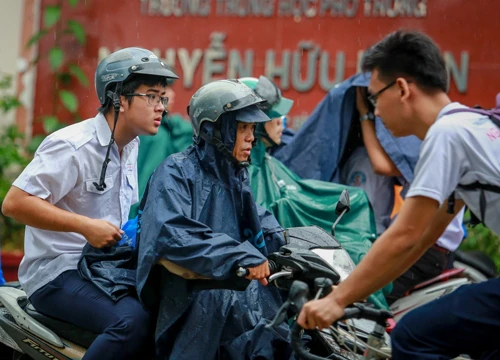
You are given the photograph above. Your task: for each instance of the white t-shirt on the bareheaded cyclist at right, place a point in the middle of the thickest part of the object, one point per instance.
(460, 148)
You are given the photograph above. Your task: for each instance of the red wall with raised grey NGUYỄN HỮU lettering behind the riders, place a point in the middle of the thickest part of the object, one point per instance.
(307, 46)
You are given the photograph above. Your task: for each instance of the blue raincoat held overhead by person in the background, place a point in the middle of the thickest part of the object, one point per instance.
(316, 150)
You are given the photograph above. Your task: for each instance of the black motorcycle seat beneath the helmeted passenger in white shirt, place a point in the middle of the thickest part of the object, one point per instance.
(63, 329)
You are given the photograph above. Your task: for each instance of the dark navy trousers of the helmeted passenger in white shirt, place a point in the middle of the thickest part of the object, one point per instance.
(123, 325)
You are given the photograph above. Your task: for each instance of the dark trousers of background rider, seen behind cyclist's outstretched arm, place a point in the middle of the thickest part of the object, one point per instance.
(431, 264)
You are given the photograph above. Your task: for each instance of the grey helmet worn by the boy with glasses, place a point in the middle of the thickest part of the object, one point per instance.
(118, 66)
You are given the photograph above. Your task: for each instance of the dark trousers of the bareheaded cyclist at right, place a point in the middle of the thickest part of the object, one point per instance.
(467, 321)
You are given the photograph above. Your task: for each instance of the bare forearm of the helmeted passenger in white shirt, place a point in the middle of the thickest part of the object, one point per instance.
(33, 211)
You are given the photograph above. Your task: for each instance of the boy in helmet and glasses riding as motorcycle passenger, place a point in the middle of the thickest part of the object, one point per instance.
(68, 197)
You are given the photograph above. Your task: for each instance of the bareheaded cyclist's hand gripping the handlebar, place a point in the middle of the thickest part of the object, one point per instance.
(320, 313)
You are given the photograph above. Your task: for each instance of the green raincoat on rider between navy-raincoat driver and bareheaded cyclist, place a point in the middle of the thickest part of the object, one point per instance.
(296, 202)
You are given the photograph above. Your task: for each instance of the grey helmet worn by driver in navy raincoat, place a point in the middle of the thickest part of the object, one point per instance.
(218, 97)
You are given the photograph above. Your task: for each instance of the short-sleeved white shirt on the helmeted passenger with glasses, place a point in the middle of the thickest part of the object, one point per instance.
(62, 172)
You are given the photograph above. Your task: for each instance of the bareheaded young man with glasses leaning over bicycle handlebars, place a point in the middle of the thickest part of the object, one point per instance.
(409, 84)
